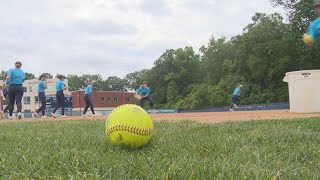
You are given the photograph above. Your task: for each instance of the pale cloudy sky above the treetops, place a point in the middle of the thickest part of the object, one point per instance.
(112, 37)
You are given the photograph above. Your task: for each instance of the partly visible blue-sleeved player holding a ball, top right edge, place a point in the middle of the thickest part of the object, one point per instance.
(314, 28)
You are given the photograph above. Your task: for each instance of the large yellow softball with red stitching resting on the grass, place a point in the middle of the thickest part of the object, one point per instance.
(129, 125)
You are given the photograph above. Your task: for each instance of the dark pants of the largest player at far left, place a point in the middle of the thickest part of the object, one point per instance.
(15, 96)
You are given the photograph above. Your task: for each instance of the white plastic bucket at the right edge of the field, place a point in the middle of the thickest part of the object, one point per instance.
(304, 91)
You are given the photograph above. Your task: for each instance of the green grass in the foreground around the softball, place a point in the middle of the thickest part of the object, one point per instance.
(179, 150)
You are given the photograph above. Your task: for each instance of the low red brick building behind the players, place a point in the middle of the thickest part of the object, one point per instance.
(103, 100)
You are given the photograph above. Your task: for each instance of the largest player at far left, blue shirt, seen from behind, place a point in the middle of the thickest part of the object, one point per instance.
(15, 79)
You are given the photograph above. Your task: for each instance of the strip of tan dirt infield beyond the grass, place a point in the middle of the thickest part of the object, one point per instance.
(212, 117)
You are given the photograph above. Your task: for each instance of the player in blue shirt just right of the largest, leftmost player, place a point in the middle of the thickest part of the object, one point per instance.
(42, 85)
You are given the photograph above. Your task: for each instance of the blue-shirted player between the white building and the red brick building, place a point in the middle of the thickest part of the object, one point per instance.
(60, 87)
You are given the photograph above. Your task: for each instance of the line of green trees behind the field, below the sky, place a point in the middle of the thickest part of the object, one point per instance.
(258, 58)
